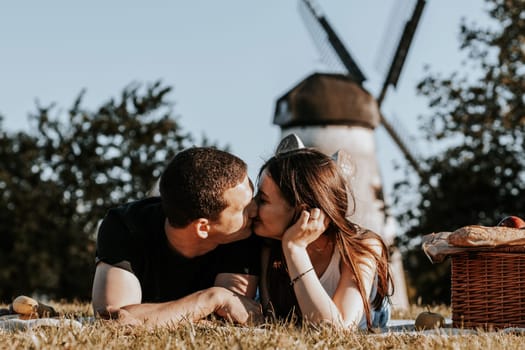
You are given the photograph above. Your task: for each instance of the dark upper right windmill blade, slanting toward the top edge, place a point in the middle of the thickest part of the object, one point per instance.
(402, 50)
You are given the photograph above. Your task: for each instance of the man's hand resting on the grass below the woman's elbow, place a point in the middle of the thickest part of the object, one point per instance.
(237, 308)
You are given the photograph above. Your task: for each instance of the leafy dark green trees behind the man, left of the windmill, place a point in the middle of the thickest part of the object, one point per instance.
(58, 182)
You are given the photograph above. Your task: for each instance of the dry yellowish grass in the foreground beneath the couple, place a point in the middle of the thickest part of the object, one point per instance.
(218, 335)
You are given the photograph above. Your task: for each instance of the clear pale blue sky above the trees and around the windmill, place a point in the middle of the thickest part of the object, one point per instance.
(228, 61)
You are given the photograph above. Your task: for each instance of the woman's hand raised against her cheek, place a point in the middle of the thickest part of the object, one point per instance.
(310, 225)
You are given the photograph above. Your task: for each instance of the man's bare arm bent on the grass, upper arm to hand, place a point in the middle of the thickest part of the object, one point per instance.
(117, 291)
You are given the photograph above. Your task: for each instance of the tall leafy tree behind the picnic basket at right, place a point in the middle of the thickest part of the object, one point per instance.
(478, 118)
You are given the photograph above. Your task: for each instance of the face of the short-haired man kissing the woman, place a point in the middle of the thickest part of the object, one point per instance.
(235, 221)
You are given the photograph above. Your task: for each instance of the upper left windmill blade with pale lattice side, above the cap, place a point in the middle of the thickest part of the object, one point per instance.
(330, 46)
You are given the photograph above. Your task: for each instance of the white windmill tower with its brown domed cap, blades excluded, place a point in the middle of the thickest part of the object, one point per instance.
(331, 112)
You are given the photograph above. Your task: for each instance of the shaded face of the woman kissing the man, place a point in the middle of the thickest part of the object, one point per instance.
(274, 214)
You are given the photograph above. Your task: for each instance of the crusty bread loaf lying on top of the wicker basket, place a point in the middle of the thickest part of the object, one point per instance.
(485, 236)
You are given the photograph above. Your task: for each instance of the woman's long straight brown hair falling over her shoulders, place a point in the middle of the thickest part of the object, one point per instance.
(309, 178)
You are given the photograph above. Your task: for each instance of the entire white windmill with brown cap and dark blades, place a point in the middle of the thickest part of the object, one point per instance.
(334, 111)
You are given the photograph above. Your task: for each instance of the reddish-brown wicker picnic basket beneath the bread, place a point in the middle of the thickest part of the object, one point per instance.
(488, 289)
